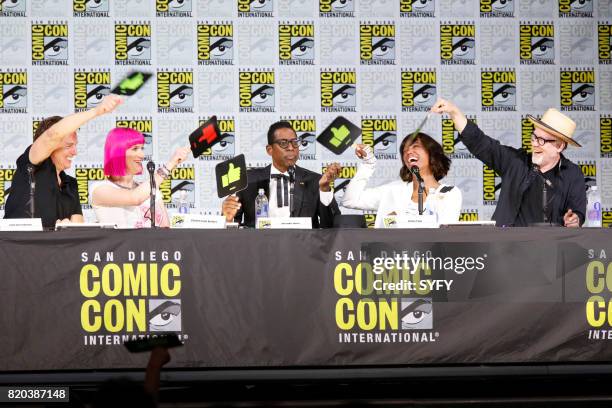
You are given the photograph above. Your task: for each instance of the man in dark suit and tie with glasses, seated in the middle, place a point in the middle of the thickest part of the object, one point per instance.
(312, 194)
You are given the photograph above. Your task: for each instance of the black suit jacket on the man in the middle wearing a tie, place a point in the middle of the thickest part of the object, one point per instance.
(305, 196)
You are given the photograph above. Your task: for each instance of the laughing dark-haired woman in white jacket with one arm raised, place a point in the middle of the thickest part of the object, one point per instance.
(401, 196)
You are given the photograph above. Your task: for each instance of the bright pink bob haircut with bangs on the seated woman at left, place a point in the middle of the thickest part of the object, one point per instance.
(118, 141)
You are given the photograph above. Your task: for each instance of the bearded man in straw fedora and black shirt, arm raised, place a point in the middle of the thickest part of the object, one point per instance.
(522, 200)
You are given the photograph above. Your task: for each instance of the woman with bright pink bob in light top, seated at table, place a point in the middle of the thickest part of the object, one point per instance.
(120, 199)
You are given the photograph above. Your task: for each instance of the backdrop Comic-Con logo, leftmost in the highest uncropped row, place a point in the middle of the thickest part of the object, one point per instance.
(50, 44)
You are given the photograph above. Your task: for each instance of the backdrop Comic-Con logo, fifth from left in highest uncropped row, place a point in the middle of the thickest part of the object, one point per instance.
(377, 44)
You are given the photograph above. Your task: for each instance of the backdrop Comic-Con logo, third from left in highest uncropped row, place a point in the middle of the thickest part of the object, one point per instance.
(215, 44)
